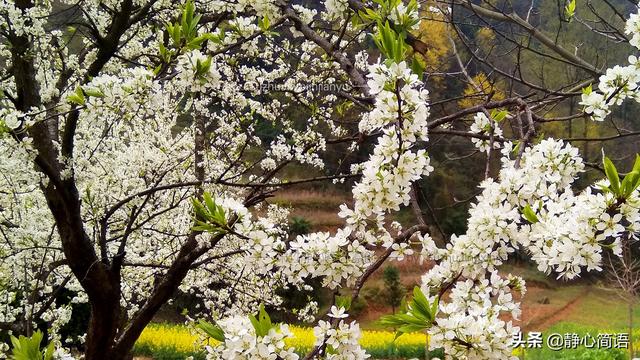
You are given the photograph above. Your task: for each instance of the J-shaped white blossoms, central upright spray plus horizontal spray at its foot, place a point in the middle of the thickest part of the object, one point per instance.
(401, 114)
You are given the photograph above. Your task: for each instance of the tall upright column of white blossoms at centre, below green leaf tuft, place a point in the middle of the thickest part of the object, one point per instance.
(401, 113)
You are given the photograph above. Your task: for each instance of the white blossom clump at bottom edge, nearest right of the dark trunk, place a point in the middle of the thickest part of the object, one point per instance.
(242, 343)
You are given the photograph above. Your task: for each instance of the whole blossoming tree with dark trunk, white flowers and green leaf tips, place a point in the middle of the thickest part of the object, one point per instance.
(132, 167)
